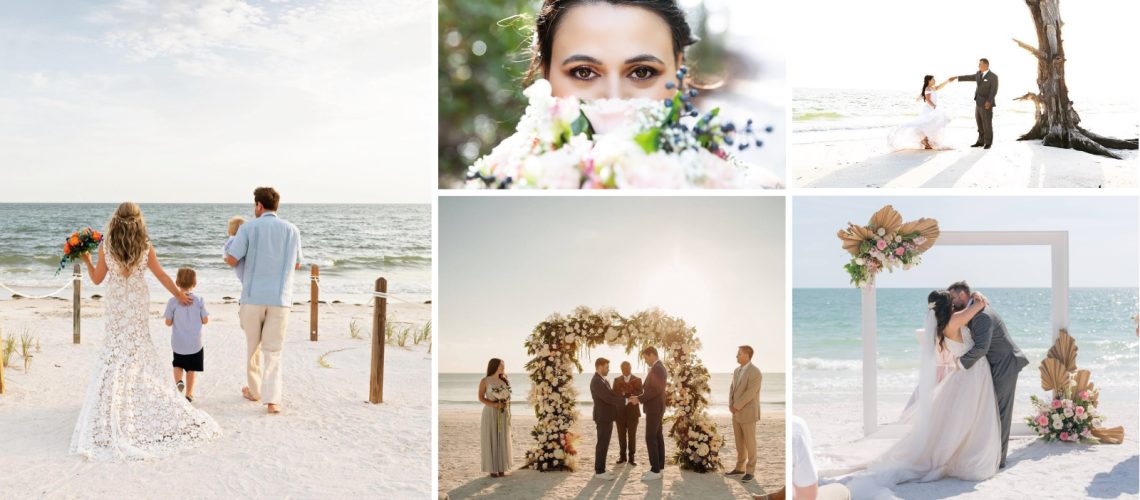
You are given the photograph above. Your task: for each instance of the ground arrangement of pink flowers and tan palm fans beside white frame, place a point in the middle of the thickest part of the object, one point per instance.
(1071, 415)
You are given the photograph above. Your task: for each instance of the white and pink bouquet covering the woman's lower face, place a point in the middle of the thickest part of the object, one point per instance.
(620, 144)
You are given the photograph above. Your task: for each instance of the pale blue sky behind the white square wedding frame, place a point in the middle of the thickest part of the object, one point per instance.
(1103, 241)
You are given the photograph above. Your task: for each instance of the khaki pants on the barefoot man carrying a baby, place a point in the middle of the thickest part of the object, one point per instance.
(265, 335)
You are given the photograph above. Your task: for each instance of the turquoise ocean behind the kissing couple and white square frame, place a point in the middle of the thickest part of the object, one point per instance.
(827, 341)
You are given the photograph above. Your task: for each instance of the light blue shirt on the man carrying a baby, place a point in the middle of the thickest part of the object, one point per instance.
(272, 249)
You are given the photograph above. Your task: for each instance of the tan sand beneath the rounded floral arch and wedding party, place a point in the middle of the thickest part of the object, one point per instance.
(460, 474)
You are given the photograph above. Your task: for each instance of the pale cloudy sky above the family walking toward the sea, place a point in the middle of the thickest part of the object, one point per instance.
(202, 101)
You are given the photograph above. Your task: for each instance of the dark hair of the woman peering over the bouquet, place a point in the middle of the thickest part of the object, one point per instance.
(552, 12)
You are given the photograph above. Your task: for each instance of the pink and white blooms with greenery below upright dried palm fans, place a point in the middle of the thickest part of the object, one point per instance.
(1068, 420)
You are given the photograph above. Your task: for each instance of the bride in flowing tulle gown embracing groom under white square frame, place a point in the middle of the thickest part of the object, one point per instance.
(955, 427)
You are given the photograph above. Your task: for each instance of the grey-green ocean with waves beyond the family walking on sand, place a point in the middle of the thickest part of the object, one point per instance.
(353, 244)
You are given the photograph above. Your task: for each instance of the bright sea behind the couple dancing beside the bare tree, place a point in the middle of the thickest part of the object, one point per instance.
(830, 112)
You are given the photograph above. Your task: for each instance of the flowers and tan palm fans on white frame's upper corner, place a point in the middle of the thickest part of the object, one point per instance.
(886, 243)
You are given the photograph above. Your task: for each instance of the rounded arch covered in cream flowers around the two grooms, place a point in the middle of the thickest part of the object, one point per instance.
(557, 347)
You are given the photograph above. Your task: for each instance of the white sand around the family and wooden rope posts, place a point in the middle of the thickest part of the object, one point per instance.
(329, 442)
